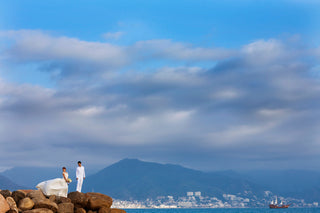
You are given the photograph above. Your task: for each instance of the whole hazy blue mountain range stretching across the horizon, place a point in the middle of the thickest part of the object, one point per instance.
(132, 179)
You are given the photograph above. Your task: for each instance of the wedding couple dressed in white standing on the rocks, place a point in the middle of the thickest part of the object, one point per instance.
(59, 186)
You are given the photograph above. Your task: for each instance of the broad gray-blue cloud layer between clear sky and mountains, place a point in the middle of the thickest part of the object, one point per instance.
(256, 107)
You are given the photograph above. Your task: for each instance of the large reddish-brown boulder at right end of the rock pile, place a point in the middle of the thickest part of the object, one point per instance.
(97, 200)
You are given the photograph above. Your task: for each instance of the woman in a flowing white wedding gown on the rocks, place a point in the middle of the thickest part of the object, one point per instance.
(58, 186)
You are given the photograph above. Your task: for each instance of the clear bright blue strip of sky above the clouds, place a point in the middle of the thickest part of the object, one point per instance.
(223, 23)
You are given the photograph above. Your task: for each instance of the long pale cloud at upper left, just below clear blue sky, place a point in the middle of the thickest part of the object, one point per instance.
(39, 46)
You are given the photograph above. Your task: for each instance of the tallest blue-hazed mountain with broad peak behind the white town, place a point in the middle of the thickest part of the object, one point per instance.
(135, 179)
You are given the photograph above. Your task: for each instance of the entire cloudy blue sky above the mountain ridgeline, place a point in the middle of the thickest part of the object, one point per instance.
(233, 84)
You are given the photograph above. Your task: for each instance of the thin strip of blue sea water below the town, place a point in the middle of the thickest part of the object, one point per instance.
(246, 210)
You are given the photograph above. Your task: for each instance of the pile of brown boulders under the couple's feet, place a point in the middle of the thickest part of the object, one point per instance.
(34, 201)
